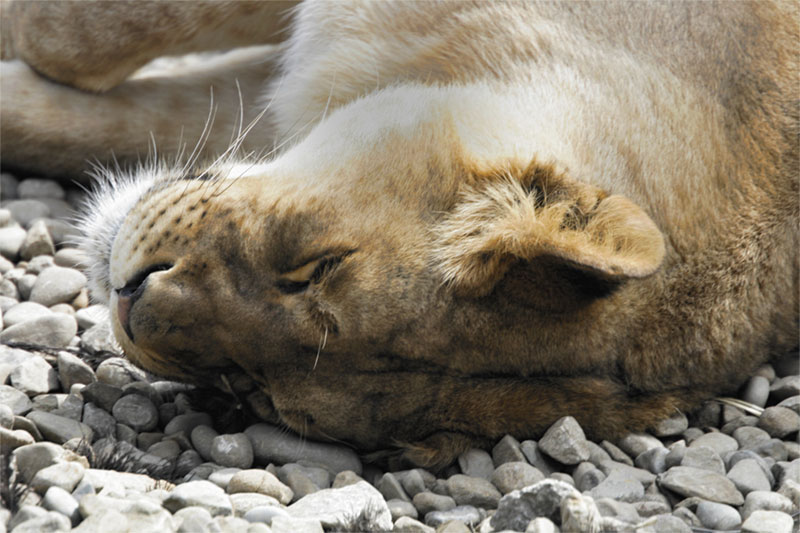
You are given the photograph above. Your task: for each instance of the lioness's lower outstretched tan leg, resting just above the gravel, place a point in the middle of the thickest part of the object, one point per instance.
(51, 129)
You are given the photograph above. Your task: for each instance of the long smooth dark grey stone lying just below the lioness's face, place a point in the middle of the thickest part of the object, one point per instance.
(273, 445)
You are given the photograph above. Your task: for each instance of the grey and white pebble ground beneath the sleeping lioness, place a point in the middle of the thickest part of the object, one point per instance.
(93, 444)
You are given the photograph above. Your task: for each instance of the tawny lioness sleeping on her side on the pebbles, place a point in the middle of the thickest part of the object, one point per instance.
(478, 217)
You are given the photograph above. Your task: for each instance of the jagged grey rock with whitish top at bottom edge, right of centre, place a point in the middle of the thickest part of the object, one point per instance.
(518, 508)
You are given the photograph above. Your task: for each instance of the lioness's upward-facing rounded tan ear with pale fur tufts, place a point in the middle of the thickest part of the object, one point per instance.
(537, 213)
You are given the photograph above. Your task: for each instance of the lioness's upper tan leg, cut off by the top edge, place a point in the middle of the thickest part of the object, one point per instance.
(96, 45)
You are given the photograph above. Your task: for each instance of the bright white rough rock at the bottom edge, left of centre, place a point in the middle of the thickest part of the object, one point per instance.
(335, 508)
